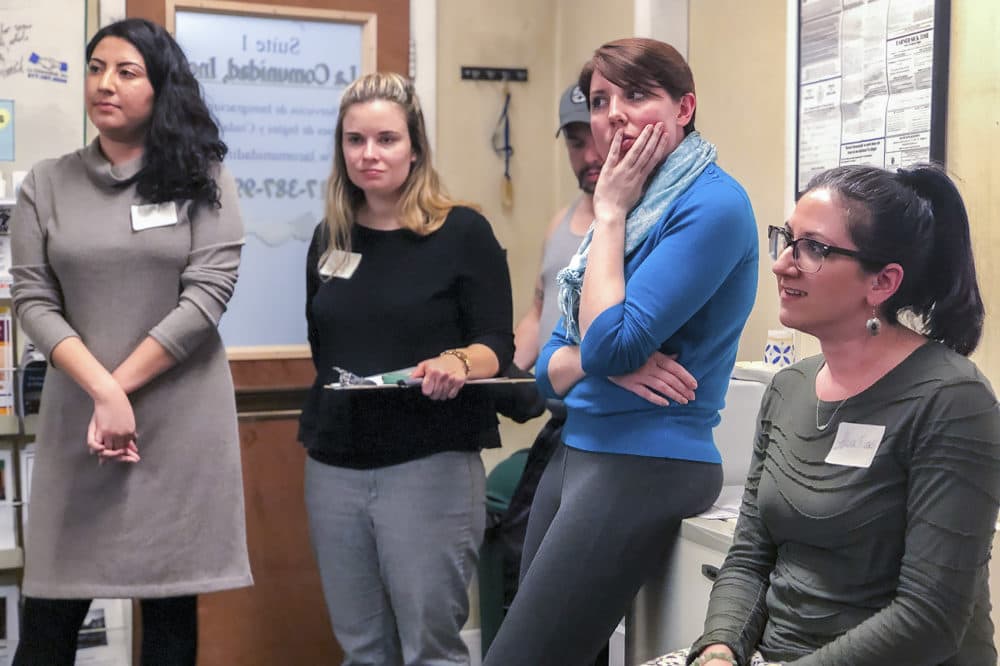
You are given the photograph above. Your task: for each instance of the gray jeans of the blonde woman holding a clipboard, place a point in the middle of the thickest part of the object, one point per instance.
(396, 548)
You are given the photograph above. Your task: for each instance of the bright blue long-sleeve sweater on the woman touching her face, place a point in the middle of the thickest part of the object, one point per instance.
(689, 289)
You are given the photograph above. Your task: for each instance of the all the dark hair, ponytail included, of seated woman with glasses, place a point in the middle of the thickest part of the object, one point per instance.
(916, 218)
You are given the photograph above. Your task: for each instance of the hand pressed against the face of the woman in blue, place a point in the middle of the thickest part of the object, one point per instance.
(624, 176)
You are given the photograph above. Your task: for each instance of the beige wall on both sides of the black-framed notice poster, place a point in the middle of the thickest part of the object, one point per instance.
(741, 109)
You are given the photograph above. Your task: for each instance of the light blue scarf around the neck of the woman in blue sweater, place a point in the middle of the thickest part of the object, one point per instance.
(674, 176)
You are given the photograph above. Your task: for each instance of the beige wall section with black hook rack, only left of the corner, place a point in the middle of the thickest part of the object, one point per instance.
(517, 33)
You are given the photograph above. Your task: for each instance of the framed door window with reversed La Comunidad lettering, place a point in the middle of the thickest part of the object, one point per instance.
(273, 77)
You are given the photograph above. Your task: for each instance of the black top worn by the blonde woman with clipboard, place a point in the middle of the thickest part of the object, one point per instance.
(410, 298)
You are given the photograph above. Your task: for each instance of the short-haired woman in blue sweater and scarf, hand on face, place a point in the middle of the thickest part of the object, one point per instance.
(668, 271)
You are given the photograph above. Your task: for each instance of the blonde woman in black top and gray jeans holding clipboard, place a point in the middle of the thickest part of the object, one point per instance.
(399, 276)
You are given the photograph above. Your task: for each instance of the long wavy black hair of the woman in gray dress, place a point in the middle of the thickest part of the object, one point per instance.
(182, 143)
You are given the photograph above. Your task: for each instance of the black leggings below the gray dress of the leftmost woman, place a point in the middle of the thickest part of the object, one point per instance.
(49, 631)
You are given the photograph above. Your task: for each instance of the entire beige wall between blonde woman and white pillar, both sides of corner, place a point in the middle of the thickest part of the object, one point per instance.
(552, 39)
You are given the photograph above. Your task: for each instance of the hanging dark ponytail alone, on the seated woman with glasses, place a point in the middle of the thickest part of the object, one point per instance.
(951, 305)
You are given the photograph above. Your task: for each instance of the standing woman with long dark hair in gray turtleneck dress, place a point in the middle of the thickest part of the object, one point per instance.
(125, 254)
